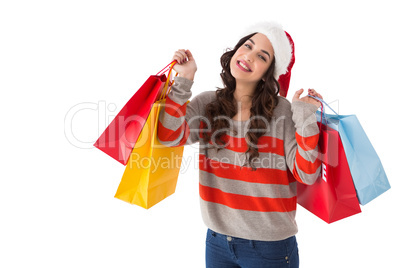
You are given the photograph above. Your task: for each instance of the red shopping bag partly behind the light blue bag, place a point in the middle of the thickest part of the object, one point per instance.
(333, 196)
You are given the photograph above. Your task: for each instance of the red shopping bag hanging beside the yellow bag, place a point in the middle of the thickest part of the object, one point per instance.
(120, 136)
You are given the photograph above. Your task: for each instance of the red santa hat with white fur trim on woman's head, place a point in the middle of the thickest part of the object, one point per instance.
(283, 47)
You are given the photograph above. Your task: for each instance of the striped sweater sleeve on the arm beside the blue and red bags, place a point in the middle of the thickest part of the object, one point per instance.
(301, 147)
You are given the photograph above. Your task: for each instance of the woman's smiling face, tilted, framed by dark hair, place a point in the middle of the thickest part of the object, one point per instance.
(252, 60)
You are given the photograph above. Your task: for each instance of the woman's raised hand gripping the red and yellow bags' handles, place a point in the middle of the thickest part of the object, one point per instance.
(185, 66)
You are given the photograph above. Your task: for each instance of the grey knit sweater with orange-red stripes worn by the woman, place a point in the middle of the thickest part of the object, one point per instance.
(235, 200)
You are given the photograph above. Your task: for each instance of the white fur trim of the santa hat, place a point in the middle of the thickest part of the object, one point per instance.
(279, 41)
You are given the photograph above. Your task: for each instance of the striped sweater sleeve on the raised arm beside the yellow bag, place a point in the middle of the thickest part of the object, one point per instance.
(179, 120)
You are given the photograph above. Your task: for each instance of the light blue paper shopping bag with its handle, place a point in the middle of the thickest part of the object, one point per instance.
(365, 166)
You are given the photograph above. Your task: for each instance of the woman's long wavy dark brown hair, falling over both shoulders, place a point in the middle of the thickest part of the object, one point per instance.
(264, 101)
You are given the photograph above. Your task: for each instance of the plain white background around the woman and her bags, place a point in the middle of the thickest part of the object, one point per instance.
(67, 67)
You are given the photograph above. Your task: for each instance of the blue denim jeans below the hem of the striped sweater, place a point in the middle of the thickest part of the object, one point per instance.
(226, 252)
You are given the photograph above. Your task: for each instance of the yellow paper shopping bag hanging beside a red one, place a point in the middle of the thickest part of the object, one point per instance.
(152, 170)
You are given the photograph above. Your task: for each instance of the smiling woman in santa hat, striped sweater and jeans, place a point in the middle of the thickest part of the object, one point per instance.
(254, 146)
